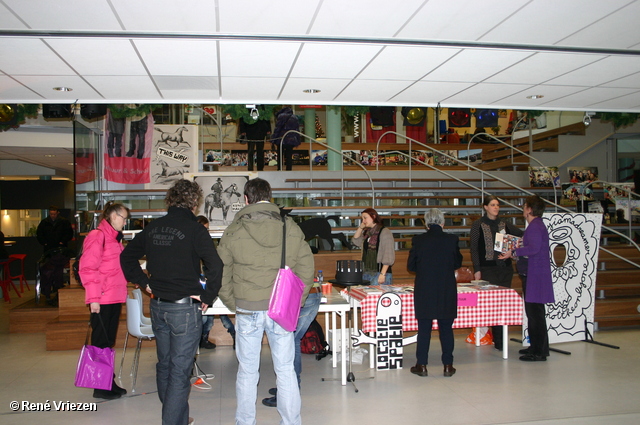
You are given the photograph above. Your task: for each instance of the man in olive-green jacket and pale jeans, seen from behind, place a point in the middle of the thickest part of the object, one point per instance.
(251, 249)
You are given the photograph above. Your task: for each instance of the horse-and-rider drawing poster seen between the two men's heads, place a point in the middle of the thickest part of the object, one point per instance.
(223, 195)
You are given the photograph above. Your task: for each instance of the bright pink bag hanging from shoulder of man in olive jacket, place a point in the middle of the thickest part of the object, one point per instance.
(284, 305)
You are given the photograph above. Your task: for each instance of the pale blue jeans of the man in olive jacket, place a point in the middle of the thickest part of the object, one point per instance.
(250, 326)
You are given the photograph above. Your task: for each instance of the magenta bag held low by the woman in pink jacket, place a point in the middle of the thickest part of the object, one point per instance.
(95, 365)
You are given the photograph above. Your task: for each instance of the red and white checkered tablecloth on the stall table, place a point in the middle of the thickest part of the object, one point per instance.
(495, 307)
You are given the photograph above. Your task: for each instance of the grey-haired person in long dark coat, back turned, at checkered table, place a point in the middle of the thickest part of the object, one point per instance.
(434, 257)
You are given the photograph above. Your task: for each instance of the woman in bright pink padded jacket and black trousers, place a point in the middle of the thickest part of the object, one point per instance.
(105, 284)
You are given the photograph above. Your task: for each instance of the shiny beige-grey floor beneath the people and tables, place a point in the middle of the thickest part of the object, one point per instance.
(593, 385)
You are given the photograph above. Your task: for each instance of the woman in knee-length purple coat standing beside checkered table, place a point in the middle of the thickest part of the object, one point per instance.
(536, 278)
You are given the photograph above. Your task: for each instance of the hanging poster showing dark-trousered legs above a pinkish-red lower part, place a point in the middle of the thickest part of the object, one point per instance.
(127, 149)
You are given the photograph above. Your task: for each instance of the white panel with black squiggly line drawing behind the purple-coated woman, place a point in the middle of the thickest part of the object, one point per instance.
(574, 276)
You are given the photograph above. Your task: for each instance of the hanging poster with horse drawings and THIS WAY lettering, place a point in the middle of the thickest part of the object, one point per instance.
(174, 152)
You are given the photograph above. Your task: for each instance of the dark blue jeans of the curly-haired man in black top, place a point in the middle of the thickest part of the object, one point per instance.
(177, 328)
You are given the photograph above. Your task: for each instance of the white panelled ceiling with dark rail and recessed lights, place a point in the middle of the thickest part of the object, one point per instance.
(578, 54)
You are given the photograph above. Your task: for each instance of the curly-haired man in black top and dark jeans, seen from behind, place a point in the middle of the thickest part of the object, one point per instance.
(175, 246)
